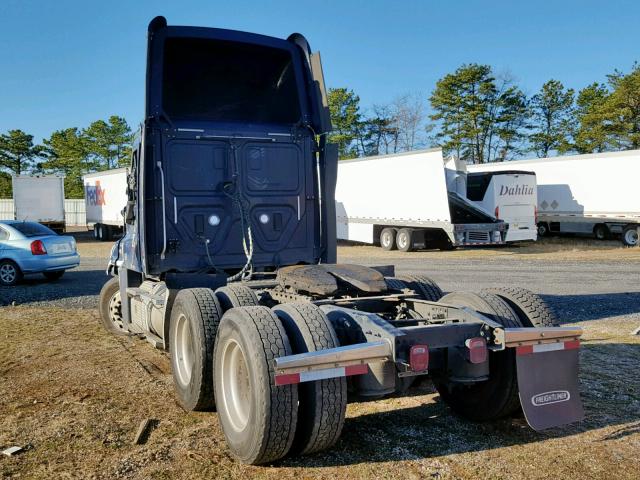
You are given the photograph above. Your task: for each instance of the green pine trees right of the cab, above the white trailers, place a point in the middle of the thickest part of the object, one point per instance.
(483, 117)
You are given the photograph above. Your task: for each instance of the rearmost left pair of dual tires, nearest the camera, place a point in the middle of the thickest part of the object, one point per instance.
(263, 422)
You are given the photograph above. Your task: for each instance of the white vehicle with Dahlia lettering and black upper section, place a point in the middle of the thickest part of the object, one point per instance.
(511, 195)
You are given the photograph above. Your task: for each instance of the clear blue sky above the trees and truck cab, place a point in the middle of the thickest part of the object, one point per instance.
(66, 63)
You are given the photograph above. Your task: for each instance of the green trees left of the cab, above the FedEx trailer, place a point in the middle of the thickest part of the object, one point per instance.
(71, 152)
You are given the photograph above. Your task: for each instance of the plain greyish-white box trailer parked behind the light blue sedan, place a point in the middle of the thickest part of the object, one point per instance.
(40, 199)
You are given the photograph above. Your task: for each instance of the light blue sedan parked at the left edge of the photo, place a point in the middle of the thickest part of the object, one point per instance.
(29, 247)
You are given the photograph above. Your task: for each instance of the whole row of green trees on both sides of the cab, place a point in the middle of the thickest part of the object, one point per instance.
(473, 113)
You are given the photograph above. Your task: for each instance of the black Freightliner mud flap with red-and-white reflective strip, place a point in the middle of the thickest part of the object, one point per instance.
(548, 384)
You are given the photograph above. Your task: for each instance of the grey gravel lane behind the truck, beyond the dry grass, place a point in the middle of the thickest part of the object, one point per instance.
(581, 280)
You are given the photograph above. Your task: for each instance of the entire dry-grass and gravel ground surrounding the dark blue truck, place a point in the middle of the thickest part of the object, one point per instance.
(74, 401)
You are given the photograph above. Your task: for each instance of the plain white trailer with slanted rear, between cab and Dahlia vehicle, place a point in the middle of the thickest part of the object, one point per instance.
(401, 201)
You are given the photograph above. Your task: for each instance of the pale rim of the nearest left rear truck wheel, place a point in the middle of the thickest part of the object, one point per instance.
(236, 387)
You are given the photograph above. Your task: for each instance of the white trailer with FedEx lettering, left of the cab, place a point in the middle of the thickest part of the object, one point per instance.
(105, 196)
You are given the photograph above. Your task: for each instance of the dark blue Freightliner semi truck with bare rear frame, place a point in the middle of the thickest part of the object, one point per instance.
(228, 262)
